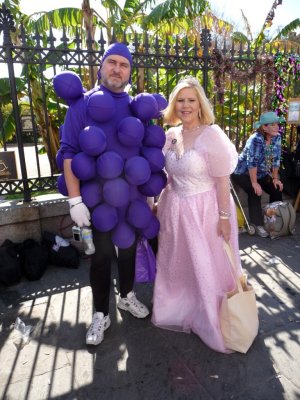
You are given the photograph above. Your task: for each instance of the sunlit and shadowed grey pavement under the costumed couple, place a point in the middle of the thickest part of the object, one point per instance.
(137, 361)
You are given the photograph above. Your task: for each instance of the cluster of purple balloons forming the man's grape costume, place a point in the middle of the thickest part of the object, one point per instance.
(112, 186)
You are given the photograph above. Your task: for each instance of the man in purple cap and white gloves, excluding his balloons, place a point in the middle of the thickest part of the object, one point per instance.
(115, 74)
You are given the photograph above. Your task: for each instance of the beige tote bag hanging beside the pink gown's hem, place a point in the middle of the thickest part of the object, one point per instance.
(238, 313)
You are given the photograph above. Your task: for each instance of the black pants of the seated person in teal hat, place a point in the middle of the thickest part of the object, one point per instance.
(254, 201)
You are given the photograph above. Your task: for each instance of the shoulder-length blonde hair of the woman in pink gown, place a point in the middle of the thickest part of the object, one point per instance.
(206, 116)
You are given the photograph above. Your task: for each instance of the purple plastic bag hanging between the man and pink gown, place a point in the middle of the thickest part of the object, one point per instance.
(145, 262)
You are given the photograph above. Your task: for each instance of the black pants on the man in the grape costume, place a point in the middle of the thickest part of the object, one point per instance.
(100, 272)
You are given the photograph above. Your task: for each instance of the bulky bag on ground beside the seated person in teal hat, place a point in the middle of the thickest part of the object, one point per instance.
(279, 219)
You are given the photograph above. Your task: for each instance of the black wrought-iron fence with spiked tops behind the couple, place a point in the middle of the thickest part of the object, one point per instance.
(240, 82)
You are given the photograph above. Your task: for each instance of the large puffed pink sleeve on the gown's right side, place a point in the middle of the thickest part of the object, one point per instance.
(221, 154)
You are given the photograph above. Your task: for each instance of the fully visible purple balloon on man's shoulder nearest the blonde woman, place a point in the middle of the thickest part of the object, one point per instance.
(144, 106)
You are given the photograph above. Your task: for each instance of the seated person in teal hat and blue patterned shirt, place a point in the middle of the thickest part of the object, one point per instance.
(258, 167)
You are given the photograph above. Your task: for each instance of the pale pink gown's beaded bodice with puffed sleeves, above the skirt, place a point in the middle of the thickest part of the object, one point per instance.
(194, 165)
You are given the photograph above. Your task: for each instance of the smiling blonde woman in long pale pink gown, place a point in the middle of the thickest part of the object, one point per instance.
(196, 213)
